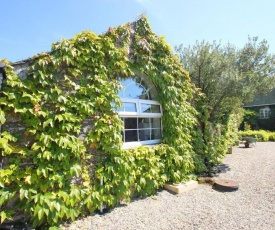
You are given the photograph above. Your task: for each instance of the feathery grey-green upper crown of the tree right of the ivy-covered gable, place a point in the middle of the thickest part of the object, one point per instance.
(227, 76)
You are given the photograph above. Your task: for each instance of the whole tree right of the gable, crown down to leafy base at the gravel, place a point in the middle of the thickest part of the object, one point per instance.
(227, 77)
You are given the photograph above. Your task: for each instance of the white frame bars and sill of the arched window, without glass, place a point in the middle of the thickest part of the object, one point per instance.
(140, 114)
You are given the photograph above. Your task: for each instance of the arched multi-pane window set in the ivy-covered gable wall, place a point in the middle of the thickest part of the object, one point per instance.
(140, 112)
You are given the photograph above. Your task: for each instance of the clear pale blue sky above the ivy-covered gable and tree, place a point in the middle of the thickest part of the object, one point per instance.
(29, 27)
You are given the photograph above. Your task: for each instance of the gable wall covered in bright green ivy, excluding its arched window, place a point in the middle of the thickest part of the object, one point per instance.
(59, 121)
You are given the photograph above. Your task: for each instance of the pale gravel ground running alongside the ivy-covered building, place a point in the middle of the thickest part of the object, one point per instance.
(250, 207)
